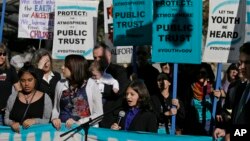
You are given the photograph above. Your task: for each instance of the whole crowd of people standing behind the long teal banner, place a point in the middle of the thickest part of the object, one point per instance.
(88, 89)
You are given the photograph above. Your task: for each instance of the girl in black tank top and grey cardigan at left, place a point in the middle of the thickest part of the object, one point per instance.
(29, 106)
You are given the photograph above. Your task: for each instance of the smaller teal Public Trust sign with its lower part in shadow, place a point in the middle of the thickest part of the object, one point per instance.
(132, 22)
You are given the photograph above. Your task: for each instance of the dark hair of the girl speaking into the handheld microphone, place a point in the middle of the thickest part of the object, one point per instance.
(144, 101)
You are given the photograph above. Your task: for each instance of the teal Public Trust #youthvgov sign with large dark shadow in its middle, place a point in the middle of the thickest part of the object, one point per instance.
(177, 31)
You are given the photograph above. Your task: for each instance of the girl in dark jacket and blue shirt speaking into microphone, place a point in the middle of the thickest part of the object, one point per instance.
(139, 115)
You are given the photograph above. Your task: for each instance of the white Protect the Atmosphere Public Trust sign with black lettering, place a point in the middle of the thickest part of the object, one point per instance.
(75, 28)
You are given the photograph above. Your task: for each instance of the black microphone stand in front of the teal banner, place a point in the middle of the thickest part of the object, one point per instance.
(85, 126)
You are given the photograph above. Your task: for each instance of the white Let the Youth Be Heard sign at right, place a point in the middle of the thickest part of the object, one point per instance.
(226, 31)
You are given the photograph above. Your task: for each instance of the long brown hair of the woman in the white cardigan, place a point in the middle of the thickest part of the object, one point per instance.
(78, 67)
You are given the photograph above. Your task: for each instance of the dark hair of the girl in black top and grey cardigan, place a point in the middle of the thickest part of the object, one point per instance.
(28, 67)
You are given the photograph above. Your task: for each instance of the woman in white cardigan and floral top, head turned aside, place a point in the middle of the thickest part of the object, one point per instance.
(77, 98)
